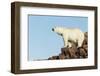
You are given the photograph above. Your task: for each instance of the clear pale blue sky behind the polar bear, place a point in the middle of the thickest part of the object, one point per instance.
(43, 42)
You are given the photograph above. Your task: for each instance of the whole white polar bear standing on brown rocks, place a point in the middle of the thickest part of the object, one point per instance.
(70, 34)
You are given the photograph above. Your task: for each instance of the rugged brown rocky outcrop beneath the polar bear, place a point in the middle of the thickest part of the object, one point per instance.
(73, 52)
